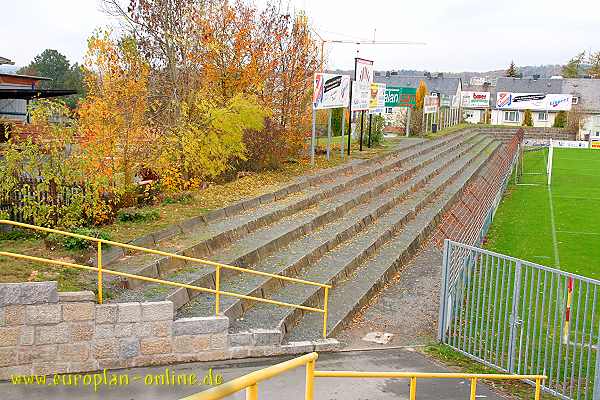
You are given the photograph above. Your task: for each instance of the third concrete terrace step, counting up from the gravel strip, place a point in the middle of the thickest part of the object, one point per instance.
(304, 250)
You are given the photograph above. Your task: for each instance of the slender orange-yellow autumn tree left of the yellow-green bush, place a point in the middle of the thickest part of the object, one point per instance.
(115, 138)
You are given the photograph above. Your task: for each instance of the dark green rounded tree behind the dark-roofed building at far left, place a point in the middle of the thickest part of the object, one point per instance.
(52, 64)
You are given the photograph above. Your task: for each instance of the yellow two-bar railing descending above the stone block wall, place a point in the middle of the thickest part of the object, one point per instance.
(218, 266)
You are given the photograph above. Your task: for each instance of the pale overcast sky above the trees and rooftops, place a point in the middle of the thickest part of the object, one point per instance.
(461, 35)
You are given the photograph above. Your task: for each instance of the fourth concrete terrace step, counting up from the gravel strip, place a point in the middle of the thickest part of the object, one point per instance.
(259, 244)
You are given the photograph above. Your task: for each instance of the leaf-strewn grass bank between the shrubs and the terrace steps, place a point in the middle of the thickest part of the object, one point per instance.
(164, 214)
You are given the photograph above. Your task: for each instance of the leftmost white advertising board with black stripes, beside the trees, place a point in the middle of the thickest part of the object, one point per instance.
(331, 91)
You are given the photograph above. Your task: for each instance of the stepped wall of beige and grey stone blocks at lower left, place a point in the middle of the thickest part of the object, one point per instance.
(43, 331)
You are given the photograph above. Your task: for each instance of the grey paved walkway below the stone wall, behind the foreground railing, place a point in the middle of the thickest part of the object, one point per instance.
(289, 386)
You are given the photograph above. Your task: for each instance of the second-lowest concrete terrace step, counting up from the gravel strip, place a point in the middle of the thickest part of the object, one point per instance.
(342, 260)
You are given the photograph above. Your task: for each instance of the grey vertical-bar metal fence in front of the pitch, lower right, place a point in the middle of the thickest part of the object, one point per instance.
(522, 317)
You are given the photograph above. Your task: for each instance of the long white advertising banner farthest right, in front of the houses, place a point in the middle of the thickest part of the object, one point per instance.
(534, 101)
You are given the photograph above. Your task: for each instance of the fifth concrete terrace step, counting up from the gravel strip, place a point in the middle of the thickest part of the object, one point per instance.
(205, 239)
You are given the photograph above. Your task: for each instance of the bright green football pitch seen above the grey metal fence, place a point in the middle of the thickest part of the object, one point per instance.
(557, 225)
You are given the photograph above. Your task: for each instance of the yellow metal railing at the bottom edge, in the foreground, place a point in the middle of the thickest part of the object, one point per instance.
(250, 382)
